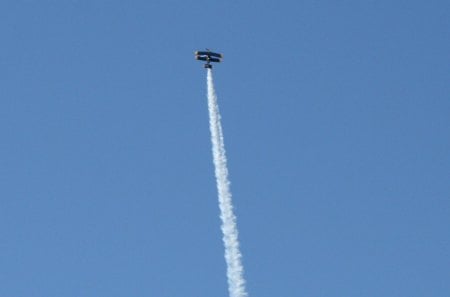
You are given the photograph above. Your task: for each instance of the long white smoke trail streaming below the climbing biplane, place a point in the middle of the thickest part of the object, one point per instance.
(236, 282)
